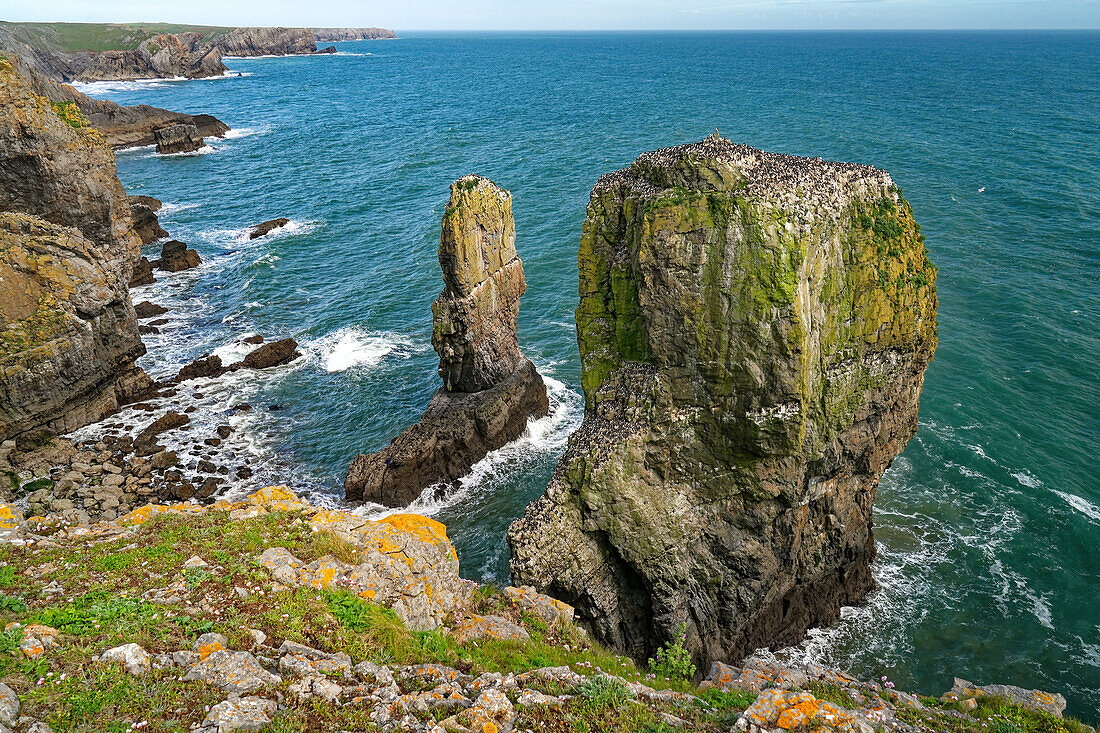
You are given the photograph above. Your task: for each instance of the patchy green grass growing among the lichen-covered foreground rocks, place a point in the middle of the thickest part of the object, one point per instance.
(102, 606)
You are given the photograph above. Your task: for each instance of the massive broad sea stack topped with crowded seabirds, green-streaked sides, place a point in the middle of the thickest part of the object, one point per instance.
(754, 333)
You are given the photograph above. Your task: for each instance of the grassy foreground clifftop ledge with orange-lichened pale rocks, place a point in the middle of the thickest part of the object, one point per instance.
(274, 615)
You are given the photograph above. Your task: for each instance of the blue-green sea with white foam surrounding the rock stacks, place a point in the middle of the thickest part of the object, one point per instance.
(988, 526)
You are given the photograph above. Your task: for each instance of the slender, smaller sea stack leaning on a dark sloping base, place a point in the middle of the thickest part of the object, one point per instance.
(490, 389)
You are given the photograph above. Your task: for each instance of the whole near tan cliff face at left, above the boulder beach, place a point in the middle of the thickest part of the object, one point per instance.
(70, 336)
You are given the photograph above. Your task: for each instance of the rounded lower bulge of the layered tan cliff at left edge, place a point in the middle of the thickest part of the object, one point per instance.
(69, 330)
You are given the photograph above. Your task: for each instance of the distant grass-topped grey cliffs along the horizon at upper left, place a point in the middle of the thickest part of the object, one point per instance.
(95, 52)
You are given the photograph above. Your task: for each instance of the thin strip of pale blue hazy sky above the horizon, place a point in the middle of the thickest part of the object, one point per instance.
(578, 15)
